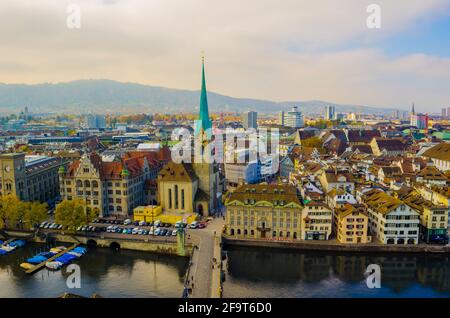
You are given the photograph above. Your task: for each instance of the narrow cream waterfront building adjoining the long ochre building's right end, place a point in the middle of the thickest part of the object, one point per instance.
(316, 221)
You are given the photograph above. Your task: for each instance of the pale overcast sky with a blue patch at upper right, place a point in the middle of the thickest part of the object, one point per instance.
(270, 49)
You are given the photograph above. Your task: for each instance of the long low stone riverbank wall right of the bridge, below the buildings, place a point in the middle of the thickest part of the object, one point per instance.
(332, 246)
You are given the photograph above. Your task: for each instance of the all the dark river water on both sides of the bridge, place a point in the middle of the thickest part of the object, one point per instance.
(251, 273)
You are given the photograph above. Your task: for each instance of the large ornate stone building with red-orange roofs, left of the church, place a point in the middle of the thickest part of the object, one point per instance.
(115, 188)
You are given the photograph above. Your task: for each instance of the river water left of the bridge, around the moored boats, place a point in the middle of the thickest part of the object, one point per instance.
(104, 272)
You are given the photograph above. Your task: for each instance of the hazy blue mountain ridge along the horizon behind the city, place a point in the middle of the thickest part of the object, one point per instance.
(104, 95)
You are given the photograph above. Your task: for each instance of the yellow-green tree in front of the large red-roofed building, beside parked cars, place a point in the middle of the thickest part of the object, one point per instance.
(75, 213)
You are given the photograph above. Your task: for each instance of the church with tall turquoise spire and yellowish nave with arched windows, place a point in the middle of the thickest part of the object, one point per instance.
(192, 187)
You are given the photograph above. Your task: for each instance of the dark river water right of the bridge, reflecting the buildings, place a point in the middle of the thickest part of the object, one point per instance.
(283, 273)
